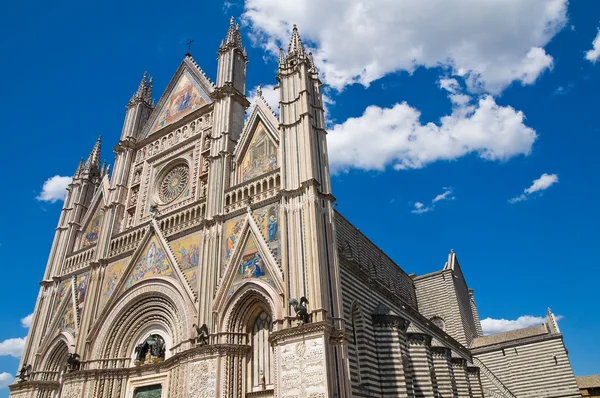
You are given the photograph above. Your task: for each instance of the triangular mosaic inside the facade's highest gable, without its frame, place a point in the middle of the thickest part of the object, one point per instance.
(186, 97)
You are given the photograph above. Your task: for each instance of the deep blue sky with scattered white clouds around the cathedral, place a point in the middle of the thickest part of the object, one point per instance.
(440, 113)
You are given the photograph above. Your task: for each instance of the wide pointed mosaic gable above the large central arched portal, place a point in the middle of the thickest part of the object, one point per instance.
(152, 259)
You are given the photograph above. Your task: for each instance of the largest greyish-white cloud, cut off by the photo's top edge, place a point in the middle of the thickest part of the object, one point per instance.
(489, 43)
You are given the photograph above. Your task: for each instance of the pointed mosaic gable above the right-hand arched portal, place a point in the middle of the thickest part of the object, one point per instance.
(251, 262)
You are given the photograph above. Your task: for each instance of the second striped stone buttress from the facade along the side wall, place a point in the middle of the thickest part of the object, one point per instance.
(424, 379)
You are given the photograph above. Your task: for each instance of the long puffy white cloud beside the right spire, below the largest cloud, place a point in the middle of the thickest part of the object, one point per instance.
(395, 136)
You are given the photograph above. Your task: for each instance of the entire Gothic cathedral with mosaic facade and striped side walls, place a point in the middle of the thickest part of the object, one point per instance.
(210, 262)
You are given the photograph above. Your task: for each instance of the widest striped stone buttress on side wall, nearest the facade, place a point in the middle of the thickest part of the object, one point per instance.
(390, 335)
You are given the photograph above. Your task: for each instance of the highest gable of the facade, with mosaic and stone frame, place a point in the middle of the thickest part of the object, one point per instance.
(188, 90)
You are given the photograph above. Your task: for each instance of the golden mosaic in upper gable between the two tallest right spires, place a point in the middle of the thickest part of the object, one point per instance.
(261, 155)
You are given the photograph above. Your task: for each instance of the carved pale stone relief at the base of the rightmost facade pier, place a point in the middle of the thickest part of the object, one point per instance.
(302, 371)
